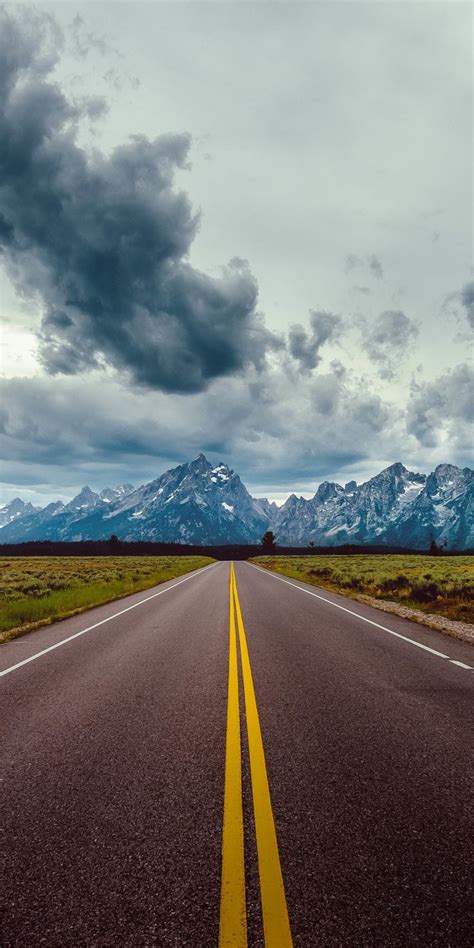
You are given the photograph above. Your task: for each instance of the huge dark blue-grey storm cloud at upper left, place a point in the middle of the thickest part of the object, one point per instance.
(104, 240)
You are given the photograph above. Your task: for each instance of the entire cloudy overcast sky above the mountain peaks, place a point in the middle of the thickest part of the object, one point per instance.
(243, 228)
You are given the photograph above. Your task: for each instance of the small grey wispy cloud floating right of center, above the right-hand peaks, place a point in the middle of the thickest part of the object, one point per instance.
(388, 339)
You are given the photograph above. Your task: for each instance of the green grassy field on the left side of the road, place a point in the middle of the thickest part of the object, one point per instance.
(37, 590)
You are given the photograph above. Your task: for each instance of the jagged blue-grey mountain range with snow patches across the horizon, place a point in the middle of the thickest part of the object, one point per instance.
(202, 503)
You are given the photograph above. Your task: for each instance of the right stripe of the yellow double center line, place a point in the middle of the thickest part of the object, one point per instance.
(276, 923)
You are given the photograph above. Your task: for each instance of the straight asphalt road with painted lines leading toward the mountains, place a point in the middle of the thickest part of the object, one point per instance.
(120, 745)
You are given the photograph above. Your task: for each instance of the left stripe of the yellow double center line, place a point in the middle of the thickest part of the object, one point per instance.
(233, 915)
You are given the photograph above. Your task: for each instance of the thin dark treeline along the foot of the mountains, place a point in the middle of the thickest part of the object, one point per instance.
(116, 547)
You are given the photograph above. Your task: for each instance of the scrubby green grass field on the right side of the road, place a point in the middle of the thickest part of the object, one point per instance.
(440, 585)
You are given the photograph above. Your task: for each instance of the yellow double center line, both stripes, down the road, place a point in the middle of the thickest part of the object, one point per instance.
(233, 912)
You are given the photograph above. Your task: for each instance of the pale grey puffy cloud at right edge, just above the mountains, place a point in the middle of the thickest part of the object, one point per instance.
(443, 407)
